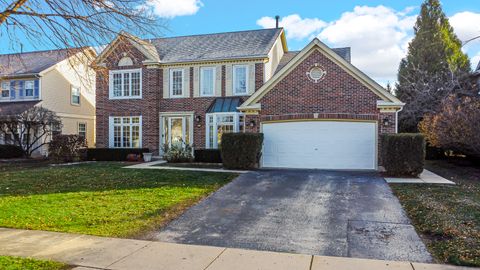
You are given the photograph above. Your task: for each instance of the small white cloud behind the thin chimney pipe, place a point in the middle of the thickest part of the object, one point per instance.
(295, 26)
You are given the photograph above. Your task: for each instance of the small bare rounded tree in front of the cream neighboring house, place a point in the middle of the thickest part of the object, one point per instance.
(31, 129)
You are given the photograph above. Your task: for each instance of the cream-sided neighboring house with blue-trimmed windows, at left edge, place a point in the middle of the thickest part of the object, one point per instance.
(59, 80)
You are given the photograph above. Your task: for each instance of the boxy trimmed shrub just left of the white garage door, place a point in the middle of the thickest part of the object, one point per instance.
(241, 150)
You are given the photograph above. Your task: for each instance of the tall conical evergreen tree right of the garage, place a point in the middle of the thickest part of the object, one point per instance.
(434, 54)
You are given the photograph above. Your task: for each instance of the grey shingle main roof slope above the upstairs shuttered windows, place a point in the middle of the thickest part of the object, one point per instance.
(230, 45)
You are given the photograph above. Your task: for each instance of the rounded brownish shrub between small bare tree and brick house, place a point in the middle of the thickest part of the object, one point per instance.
(66, 148)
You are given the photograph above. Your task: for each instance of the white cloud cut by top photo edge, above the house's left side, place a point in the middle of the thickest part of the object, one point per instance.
(171, 9)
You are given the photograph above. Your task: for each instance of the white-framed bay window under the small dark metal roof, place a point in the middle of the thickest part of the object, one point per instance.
(221, 123)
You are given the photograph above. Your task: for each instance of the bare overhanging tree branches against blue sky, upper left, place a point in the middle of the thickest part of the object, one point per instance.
(74, 23)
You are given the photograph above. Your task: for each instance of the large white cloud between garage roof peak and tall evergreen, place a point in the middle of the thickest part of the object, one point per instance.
(378, 37)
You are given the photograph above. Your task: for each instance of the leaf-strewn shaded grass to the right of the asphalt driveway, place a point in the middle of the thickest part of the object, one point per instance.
(447, 217)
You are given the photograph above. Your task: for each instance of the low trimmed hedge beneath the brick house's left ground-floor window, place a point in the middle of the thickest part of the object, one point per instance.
(114, 154)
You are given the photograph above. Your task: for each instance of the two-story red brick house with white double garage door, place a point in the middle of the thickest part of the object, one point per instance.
(315, 108)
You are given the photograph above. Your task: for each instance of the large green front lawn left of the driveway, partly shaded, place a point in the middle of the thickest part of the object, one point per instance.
(99, 198)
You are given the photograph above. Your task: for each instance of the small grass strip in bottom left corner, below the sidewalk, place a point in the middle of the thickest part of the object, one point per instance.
(17, 263)
